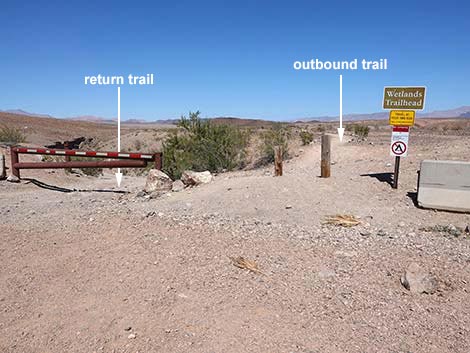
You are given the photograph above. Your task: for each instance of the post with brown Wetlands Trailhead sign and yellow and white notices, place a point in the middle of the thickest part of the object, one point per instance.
(400, 99)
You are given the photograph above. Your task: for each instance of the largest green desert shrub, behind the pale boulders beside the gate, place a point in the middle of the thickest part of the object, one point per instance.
(203, 145)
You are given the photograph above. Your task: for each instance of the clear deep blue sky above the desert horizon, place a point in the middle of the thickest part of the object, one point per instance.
(229, 58)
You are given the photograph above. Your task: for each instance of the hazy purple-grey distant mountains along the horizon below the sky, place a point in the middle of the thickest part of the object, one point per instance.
(461, 112)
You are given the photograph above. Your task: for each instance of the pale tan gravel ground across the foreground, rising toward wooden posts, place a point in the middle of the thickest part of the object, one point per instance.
(114, 272)
